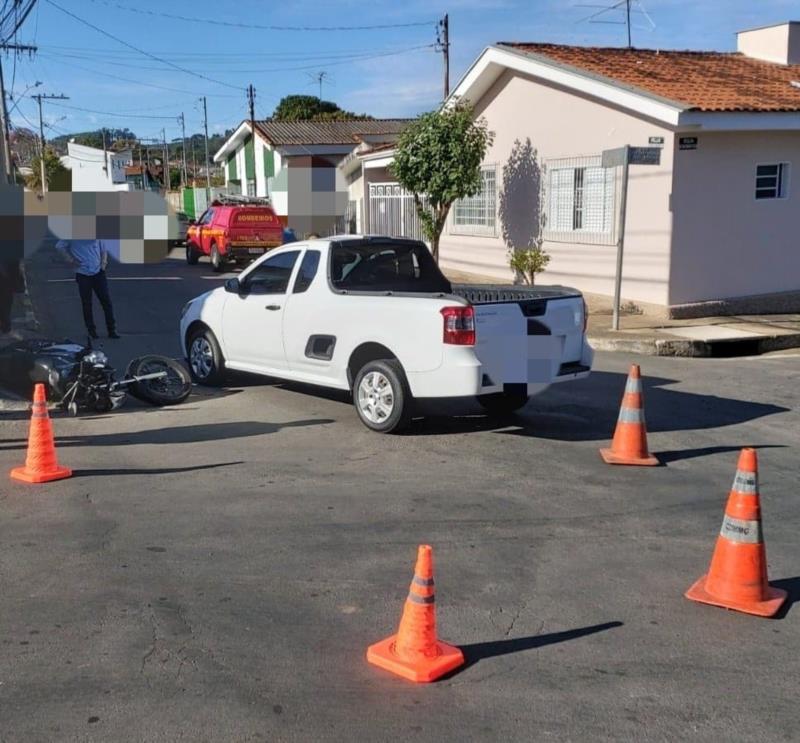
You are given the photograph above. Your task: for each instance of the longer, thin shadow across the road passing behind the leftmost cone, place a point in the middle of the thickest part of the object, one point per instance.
(181, 434)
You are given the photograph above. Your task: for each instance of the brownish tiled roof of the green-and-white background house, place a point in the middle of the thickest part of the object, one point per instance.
(327, 132)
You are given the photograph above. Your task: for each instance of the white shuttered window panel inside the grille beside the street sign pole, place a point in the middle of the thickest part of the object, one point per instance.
(580, 200)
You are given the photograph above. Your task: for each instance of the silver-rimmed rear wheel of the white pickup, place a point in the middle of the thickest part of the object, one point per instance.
(381, 396)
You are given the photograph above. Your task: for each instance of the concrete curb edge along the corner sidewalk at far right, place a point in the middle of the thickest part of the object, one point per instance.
(688, 348)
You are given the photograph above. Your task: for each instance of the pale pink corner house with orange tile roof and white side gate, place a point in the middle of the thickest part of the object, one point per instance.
(713, 226)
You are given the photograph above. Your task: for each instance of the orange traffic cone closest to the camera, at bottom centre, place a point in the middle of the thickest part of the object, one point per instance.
(414, 652)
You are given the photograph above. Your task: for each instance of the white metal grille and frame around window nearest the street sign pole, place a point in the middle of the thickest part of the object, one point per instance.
(581, 200)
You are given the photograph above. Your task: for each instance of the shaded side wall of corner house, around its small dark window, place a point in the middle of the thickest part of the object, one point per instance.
(725, 242)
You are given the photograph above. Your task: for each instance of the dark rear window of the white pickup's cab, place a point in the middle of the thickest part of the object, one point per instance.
(386, 266)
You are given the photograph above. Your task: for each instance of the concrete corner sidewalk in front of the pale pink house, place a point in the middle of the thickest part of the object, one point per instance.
(644, 333)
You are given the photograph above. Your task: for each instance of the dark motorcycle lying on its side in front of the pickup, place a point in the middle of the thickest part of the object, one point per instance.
(82, 378)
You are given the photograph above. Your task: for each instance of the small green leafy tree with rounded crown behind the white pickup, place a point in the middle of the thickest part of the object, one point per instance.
(438, 159)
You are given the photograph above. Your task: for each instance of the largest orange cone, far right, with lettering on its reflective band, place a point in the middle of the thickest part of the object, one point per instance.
(737, 577)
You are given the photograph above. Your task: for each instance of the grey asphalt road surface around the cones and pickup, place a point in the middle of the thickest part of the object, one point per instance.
(216, 571)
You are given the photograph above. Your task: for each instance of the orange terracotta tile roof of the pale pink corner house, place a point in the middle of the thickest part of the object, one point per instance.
(703, 81)
